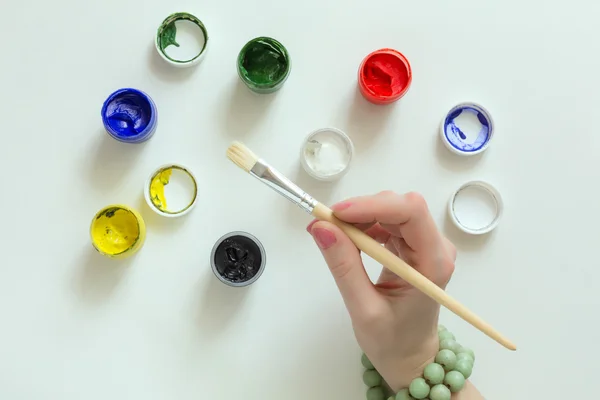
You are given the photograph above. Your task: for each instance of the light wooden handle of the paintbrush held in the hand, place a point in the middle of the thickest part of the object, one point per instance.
(388, 259)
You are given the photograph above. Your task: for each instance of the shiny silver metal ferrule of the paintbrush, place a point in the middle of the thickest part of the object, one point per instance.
(278, 182)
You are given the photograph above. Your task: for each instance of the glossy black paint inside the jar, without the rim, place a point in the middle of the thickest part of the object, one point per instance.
(238, 259)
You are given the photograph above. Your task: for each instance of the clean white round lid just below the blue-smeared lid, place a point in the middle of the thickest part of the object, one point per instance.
(475, 207)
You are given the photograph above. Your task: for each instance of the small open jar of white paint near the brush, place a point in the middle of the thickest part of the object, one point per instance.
(326, 154)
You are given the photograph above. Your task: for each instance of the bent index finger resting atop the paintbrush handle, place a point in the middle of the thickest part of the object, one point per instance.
(408, 214)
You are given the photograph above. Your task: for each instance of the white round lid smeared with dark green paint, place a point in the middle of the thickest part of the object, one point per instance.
(182, 40)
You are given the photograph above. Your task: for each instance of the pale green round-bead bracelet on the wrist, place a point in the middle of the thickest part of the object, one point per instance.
(452, 367)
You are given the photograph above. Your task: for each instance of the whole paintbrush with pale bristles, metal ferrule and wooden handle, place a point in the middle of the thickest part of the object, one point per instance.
(249, 162)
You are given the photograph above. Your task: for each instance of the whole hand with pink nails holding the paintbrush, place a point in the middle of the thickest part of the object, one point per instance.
(394, 323)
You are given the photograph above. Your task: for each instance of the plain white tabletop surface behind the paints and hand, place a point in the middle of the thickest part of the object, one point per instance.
(75, 325)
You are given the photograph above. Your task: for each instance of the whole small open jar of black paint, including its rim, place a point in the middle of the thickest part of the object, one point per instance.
(238, 259)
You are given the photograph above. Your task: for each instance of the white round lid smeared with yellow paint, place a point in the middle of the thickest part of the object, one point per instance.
(171, 190)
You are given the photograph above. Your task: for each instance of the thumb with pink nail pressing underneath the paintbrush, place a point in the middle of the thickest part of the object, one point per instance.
(345, 264)
